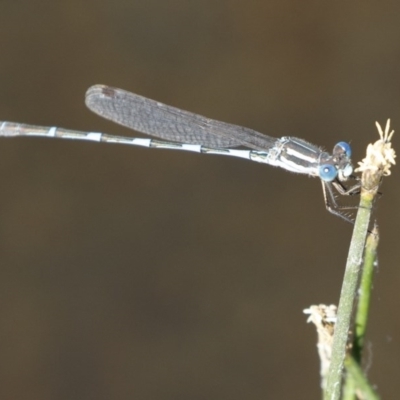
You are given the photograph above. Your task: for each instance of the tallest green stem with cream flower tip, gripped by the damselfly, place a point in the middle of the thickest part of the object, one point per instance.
(377, 163)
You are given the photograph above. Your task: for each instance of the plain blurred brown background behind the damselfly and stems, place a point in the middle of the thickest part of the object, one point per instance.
(129, 273)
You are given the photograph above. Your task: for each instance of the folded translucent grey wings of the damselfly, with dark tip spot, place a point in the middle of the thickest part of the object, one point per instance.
(170, 123)
